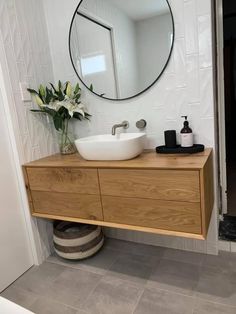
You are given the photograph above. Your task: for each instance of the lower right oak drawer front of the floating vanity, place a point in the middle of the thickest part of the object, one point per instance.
(168, 215)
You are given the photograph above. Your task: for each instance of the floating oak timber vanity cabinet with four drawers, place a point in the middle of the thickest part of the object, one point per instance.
(163, 194)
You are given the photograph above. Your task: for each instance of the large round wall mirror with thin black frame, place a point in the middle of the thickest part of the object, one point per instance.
(119, 48)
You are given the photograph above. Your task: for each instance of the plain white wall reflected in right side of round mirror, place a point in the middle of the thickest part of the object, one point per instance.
(153, 47)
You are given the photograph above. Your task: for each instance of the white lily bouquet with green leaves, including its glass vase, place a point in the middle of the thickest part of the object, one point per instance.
(62, 103)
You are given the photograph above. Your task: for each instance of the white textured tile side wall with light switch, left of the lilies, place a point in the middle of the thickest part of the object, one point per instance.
(23, 37)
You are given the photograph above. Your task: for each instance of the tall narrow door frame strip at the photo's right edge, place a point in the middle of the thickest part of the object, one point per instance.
(221, 105)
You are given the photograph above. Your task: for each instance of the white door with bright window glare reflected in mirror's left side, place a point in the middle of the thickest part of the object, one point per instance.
(95, 62)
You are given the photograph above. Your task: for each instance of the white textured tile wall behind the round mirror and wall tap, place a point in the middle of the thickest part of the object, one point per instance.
(186, 88)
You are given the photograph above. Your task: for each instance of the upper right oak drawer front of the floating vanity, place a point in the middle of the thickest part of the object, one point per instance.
(154, 184)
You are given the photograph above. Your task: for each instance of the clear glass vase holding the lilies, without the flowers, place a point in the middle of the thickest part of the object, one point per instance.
(66, 140)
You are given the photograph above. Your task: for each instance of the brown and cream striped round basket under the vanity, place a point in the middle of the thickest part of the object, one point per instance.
(76, 241)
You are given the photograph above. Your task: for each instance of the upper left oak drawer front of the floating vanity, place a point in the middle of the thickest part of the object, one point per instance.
(70, 180)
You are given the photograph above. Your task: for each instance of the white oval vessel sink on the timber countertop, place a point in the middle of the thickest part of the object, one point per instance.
(111, 147)
